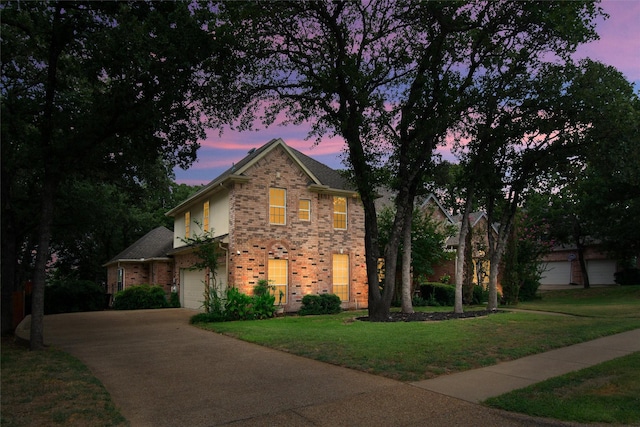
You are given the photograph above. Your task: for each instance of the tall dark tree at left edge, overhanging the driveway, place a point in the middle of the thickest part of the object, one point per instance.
(97, 91)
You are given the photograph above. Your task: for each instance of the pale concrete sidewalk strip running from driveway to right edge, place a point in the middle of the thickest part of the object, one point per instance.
(507, 376)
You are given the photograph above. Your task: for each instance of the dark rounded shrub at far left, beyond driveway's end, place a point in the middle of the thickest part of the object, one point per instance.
(73, 296)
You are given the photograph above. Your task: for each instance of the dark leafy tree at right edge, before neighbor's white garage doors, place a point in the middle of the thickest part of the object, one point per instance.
(594, 196)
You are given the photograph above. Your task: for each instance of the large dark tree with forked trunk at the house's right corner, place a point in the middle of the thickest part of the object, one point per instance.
(391, 78)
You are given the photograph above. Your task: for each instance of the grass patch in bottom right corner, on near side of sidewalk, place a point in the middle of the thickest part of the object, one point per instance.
(605, 393)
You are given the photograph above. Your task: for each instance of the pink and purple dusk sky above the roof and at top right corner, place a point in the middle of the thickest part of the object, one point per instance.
(619, 46)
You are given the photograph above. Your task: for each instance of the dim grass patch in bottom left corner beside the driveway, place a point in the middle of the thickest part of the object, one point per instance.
(51, 387)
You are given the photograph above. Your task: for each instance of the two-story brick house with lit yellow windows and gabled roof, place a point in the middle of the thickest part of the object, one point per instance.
(278, 215)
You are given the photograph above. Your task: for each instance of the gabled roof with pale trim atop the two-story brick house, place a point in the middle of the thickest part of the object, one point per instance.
(320, 175)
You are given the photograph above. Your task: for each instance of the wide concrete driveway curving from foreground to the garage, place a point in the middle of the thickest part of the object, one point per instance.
(160, 371)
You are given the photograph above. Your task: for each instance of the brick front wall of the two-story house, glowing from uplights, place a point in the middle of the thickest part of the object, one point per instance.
(308, 246)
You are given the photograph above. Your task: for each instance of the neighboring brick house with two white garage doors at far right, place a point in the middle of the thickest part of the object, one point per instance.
(561, 266)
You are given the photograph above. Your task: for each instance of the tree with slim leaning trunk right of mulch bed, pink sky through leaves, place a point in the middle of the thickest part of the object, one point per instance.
(522, 131)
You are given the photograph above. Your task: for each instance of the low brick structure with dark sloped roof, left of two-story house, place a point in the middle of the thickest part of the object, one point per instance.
(146, 261)
